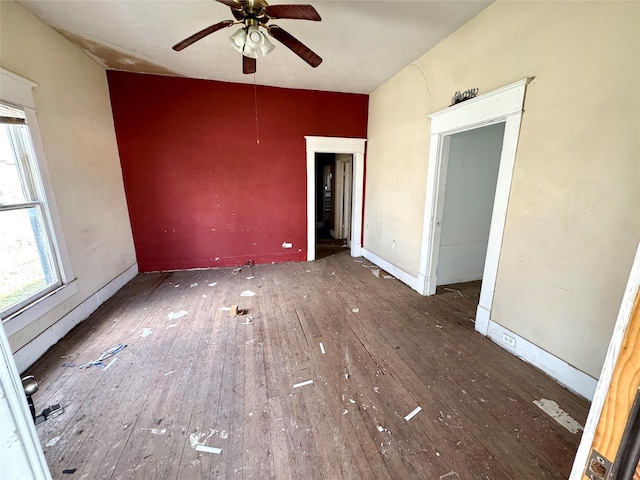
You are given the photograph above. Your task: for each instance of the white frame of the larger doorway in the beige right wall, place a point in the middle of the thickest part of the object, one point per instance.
(502, 105)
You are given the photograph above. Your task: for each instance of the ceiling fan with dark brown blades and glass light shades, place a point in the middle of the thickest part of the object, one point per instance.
(250, 40)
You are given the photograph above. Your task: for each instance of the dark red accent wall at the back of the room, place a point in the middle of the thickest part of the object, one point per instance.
(201, 191)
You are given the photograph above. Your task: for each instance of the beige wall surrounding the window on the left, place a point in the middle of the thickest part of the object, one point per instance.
(74, 116)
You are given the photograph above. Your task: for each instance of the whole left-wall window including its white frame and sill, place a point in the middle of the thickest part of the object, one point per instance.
(35, 271)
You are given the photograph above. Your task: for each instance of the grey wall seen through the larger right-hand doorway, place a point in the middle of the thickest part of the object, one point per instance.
(471, 175)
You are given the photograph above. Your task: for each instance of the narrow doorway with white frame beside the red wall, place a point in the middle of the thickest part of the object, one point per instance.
(342, 171)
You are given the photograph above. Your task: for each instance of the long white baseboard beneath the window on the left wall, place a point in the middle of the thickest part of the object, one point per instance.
(32, 351)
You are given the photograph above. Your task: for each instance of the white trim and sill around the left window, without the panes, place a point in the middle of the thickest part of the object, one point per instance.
(18, 91)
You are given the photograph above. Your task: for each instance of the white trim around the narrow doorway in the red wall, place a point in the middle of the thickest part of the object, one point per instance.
(354, 146)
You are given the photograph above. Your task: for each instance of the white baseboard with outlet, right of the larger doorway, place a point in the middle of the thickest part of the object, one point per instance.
(566, 375)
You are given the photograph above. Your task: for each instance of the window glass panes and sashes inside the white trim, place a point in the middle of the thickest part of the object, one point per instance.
(28, 267)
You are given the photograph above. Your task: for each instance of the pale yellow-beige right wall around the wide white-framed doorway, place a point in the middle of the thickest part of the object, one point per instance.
(573, 220)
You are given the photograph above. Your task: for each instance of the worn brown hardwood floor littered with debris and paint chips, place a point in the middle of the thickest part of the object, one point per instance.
(374, 349)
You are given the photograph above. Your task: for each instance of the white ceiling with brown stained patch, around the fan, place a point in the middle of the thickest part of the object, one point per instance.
(363, 43)
